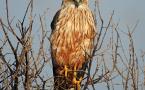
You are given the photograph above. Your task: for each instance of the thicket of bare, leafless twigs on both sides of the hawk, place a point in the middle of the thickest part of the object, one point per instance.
(25, 56)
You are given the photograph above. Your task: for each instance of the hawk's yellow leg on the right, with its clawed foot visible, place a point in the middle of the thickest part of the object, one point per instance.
(75, 81)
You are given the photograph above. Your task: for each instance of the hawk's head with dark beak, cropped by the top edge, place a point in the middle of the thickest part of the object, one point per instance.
(77, 3)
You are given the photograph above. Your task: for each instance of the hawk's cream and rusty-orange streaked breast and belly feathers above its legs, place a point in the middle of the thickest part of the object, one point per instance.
(73, 35)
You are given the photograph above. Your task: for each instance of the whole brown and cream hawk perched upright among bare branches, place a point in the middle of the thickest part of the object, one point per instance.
(72, 42)
